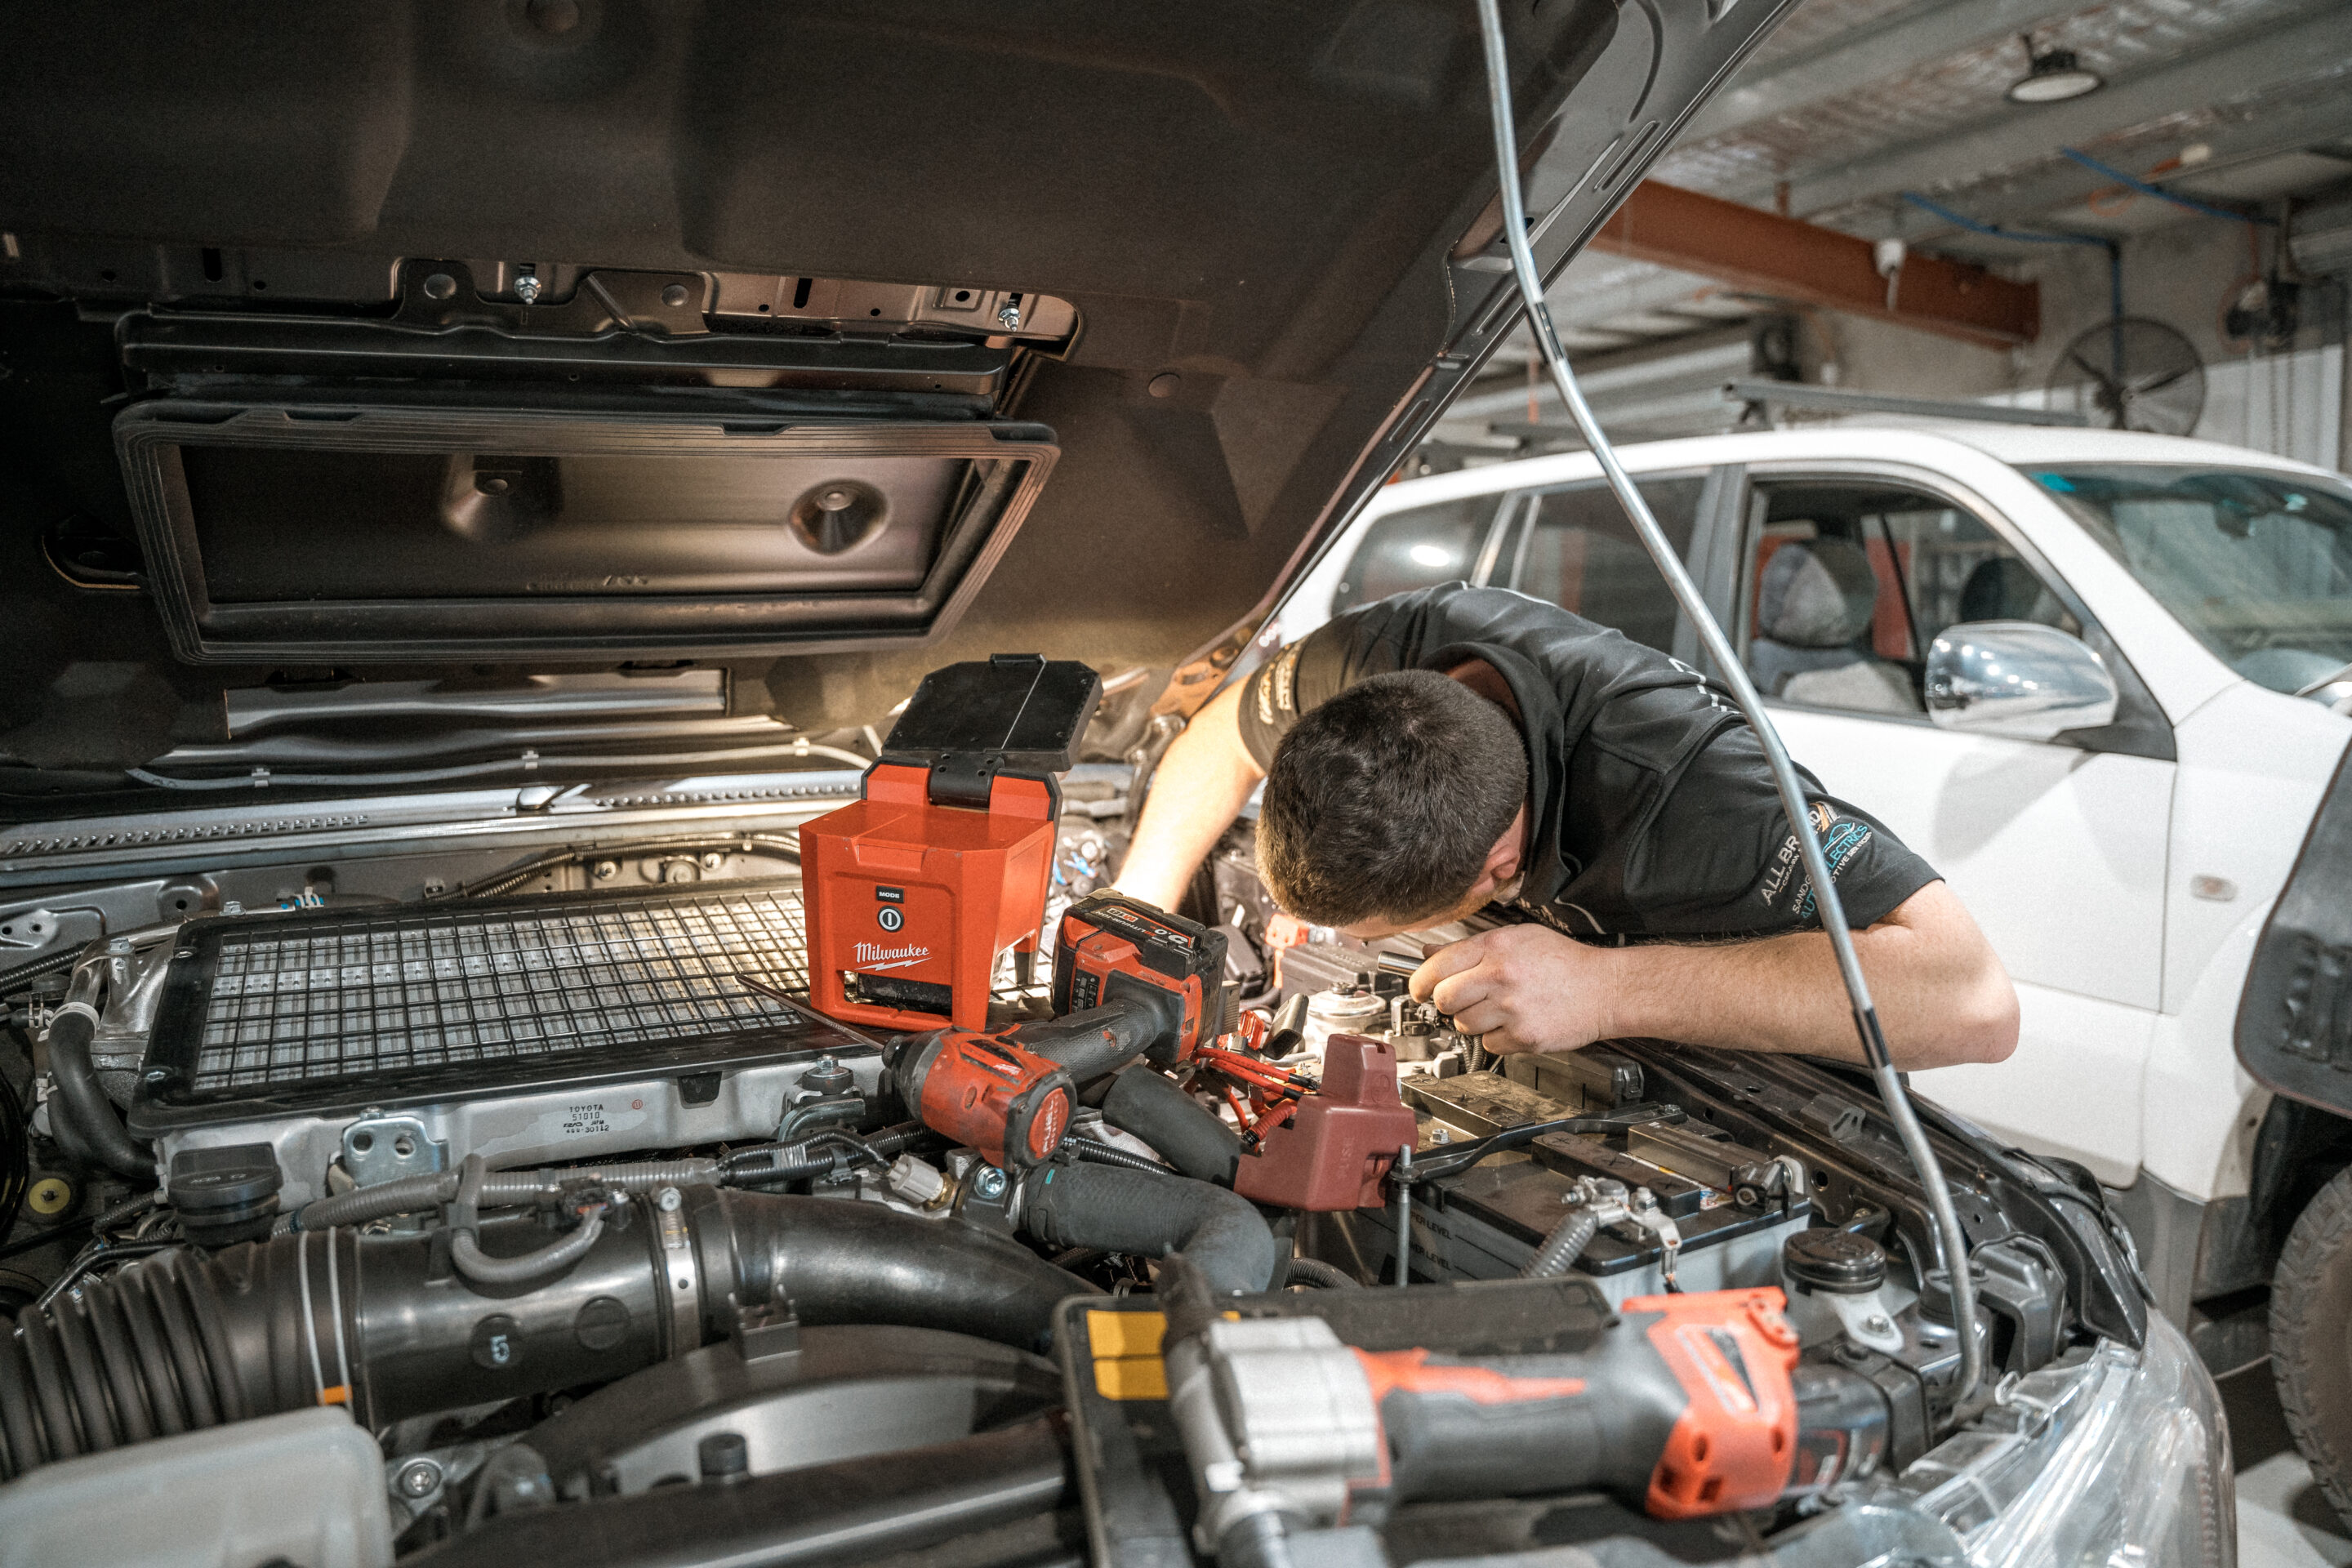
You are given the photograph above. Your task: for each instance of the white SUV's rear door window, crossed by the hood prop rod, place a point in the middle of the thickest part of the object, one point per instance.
(1582, 554)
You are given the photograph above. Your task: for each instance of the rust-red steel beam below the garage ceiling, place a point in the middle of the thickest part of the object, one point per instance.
(1805, 262)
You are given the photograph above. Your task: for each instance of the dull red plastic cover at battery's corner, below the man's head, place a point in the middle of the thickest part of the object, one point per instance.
(1337, 1151)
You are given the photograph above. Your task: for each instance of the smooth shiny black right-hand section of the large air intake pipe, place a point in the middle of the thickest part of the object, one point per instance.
(862, 1264)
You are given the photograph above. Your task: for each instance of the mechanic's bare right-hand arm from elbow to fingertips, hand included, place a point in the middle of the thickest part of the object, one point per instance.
(1942, 993)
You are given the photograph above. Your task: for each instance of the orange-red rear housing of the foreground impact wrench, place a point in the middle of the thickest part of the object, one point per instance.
(1737, 1438)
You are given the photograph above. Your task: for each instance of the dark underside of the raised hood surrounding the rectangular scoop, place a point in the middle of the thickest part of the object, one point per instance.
(1271, 220)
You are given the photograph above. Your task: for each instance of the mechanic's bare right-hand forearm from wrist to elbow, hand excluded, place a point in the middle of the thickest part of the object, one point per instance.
(1939, 991)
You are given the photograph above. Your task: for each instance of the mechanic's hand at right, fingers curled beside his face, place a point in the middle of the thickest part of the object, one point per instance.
(1525, 989)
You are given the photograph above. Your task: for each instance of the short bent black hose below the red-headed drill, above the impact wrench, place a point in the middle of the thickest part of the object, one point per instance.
(1128, 1212)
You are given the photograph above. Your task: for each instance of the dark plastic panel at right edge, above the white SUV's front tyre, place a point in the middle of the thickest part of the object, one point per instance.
(2294, 1021)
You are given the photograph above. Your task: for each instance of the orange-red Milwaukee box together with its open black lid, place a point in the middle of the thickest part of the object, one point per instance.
(921, 887)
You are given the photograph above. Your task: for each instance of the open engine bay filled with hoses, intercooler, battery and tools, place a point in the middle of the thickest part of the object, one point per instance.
(523, 1195)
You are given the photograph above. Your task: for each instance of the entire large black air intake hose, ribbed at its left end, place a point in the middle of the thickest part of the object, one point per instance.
(382, 1325)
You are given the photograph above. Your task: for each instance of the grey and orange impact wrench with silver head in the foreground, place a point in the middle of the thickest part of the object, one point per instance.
(1330, 1414)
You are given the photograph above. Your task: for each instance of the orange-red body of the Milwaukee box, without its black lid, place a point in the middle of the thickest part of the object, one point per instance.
(914, 904)
